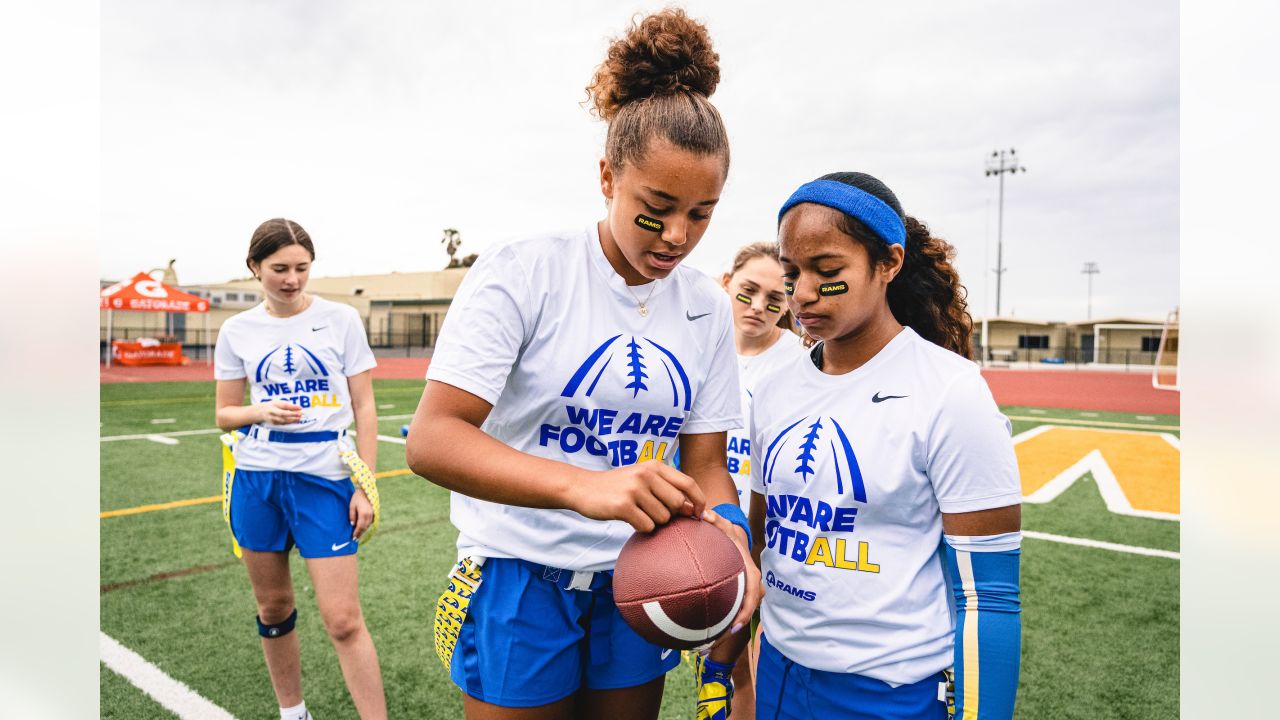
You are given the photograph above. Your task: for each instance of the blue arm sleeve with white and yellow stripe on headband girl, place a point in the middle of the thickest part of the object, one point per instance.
(989, 623)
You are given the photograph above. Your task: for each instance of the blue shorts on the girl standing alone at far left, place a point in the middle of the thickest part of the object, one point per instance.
(273, 511)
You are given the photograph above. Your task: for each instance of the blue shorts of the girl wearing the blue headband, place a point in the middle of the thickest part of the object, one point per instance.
(789, 691)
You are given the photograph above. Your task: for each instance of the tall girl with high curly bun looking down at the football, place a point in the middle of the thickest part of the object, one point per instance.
(570, 368)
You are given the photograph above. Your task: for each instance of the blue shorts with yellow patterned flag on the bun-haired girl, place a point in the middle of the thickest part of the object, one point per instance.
(523, 640)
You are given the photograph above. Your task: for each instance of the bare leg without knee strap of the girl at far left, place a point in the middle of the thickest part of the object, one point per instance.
(337, 595)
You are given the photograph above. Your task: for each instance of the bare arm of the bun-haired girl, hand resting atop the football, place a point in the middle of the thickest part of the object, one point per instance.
(447, 446)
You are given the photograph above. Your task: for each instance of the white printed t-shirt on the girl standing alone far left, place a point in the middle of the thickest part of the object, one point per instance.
(305, 361)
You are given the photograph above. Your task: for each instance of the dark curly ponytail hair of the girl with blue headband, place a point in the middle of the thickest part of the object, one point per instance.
(926, 295)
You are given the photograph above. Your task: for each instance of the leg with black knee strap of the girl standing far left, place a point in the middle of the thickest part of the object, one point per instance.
(273, 590)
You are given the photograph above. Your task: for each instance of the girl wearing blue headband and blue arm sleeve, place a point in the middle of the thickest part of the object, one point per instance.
(885, 486)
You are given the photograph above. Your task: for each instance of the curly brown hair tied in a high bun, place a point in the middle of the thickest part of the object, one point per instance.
(656, 81)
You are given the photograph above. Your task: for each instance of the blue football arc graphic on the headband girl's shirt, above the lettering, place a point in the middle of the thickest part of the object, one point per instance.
(815, 449)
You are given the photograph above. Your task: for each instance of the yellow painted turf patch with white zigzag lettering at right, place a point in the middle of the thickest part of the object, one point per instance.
(1136, 473)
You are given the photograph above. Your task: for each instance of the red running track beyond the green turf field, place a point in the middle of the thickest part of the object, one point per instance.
(1072, 390)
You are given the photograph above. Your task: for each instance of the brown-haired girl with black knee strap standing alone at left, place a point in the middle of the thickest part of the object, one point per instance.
(308, 366)
